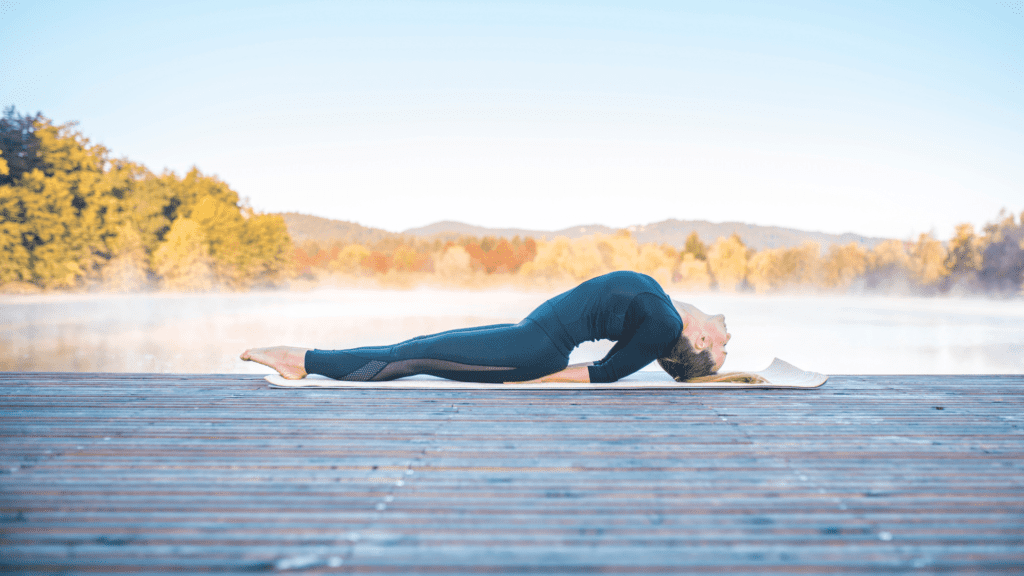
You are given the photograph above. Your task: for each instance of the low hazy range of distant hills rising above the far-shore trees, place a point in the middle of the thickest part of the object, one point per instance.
(672, 232)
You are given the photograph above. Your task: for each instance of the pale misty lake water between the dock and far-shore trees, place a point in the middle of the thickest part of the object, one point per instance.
(205, 334)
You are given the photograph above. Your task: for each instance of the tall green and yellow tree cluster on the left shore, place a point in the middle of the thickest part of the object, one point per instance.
(72, 217)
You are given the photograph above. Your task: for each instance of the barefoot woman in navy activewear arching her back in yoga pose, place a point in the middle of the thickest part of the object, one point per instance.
(626, 307)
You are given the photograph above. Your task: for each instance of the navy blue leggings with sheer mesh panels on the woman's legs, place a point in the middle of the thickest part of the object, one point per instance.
(500, 353)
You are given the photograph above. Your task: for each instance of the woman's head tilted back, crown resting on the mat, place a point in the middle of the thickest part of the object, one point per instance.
(701, 348)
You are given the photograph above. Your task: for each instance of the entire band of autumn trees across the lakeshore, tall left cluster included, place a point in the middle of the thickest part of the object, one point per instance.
(74, 218)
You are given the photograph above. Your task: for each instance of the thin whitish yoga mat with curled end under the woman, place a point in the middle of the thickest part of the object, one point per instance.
(780, 375)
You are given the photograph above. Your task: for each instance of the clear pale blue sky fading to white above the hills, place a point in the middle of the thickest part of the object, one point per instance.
(883, 118)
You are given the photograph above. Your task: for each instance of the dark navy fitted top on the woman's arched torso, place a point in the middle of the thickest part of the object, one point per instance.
(626, 307)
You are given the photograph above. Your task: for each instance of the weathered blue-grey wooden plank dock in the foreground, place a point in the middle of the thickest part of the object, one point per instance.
(173, 474)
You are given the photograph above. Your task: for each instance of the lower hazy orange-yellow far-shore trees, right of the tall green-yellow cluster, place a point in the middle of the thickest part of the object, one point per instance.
(989, 263)
